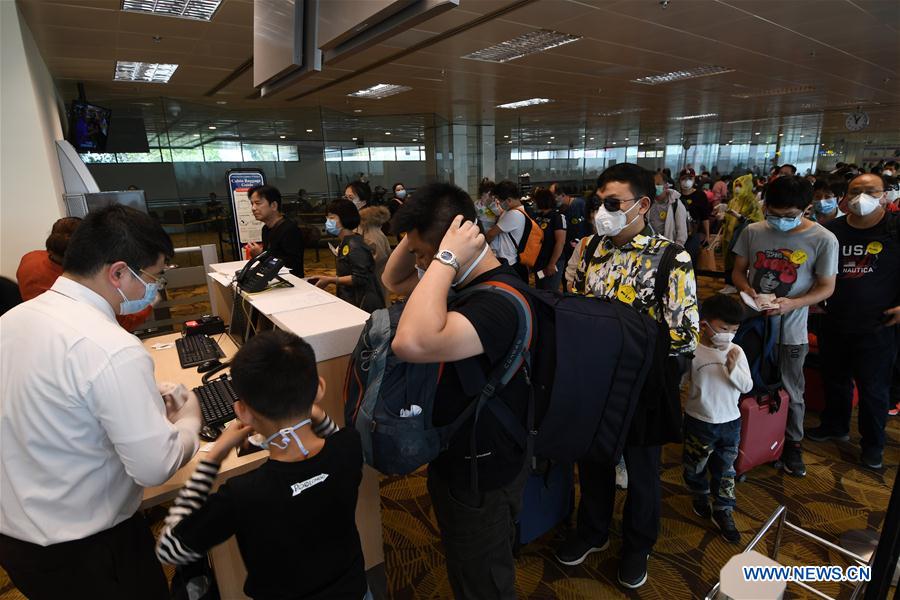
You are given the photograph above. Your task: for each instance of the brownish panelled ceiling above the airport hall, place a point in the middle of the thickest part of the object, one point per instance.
(843, 53)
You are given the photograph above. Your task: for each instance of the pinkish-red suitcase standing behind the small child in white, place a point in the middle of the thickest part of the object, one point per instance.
(763, 419)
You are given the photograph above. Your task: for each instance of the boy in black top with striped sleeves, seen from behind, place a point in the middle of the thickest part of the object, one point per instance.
(295, 516)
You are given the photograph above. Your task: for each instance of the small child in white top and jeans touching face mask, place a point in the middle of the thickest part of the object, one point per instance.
(712, 421)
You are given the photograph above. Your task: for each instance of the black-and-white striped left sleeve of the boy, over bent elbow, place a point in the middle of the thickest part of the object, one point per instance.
(170, 549)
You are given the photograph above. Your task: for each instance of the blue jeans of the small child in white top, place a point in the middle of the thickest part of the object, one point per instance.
(713, 447)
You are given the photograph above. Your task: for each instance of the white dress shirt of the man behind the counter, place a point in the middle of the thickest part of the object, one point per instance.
(82, 424)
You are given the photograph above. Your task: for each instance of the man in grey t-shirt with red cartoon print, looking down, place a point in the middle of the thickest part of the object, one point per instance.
(794, 259)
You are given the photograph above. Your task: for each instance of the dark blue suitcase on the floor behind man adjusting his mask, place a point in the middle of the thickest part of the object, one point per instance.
(547, 501)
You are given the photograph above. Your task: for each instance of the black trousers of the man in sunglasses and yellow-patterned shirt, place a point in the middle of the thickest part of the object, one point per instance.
(640, 519)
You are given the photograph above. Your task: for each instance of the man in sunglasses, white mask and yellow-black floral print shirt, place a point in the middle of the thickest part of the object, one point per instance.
(623, 266)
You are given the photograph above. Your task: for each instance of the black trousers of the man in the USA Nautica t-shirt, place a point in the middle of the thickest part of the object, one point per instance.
(869, 359)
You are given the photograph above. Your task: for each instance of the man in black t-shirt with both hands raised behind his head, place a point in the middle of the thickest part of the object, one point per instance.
(444, 244)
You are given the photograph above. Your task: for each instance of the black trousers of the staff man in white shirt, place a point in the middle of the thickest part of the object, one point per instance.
(117, 563)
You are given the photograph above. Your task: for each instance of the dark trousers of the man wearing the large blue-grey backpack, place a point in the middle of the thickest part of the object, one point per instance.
(478, 533)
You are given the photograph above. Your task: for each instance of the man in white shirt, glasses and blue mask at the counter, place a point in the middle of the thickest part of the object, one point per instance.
(83, 427)
